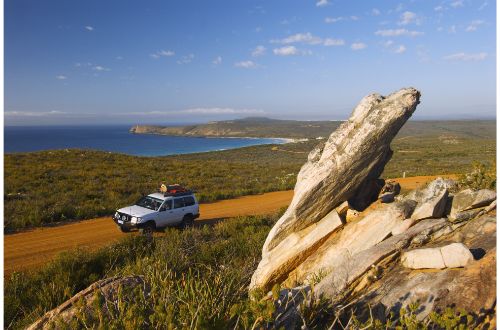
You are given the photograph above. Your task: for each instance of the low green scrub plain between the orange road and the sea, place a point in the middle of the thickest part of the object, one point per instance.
(53, 186)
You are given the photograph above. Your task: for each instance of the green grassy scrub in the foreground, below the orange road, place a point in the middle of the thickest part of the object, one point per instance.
(197, 278)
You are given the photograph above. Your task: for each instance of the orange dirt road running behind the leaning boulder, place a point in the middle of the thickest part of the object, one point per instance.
(33, 248)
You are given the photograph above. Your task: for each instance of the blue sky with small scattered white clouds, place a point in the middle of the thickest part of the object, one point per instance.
(159, 62)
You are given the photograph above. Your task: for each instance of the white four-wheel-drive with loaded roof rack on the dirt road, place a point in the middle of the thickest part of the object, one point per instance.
(158, 210)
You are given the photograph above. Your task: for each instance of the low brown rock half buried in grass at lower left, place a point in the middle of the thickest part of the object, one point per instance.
(108, 289)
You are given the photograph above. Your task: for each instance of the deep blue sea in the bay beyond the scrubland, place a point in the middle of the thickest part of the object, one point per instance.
(115, 139)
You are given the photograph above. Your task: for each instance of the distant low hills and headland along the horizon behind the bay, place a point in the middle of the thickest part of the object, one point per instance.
(261, 127)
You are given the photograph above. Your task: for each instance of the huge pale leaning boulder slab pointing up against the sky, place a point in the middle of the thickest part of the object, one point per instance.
(354, 155)
